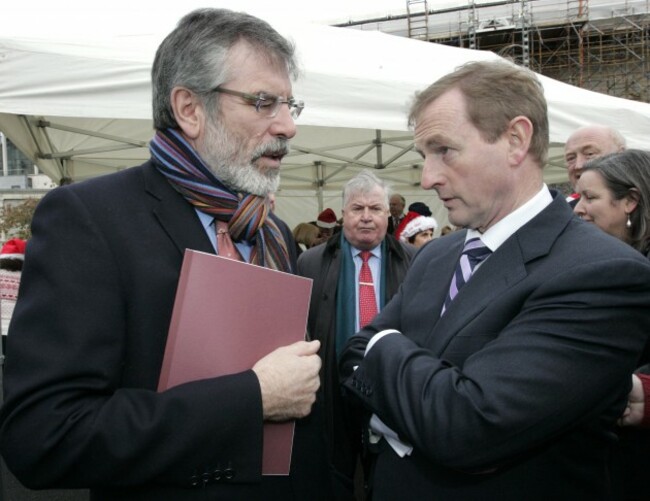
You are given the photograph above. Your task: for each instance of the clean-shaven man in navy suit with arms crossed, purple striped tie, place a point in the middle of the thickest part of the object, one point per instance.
(499, 369)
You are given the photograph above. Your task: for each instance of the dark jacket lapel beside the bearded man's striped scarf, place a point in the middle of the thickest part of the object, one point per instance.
(176, 216)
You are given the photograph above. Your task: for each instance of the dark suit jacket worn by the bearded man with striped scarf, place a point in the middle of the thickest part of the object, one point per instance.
(86, 347)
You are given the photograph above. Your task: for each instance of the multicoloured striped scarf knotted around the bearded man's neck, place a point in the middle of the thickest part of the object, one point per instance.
(246, 214)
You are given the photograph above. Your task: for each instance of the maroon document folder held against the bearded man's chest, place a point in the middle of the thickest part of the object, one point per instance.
(227, 315)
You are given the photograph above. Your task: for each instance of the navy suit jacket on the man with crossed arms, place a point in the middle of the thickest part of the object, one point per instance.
(512, 394)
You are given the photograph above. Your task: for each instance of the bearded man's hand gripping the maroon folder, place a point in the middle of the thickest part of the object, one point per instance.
(289, 380)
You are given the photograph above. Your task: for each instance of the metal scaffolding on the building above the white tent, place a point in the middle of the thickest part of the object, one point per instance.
(600, 45)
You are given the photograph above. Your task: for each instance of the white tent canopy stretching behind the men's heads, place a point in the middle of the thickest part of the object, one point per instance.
(80, 106)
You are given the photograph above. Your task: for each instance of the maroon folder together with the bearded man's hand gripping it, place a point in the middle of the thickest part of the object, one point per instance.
(231, 317)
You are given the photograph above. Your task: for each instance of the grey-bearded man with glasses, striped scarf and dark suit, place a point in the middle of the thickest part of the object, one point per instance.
(99, 281)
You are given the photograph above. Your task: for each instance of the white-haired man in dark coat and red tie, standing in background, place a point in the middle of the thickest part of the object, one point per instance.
(335, 311)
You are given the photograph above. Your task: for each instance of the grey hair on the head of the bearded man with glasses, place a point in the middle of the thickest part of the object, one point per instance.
(195, 55)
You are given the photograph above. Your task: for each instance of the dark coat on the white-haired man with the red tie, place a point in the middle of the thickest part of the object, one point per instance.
(323, 264)
